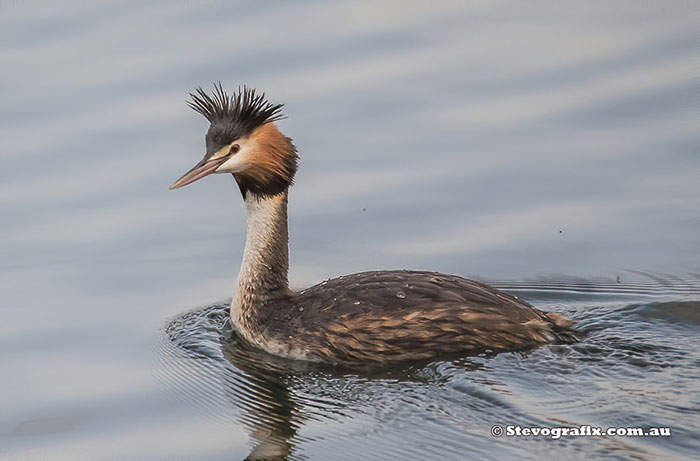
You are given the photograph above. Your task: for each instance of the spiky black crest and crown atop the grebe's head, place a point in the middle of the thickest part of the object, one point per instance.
(232, 117)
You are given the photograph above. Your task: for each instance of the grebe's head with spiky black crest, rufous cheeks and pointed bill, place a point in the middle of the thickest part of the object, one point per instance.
(243, 140)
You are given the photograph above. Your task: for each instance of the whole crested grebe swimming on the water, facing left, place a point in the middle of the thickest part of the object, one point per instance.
(369, 317)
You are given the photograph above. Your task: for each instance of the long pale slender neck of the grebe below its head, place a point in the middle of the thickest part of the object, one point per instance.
(263, 274)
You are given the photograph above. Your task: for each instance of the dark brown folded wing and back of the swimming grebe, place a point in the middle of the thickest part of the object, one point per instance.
(402, 315)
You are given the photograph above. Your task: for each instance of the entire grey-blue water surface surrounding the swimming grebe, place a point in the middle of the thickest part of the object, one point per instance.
(549, 151)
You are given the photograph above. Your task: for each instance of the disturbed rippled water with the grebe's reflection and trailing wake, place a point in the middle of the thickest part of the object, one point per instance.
(617, 376)
